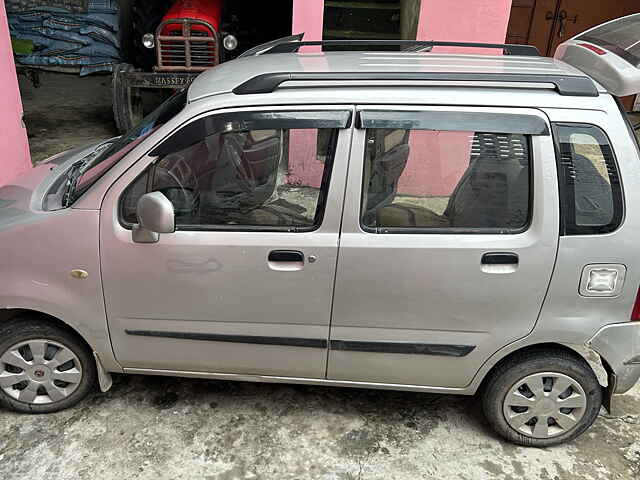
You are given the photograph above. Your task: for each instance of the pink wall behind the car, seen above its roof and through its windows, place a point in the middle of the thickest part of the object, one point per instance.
(436, 160)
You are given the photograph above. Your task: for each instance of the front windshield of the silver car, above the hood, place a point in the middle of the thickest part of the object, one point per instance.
(96, 165)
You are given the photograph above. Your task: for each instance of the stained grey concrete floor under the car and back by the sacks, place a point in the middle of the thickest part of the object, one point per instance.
(154, 427)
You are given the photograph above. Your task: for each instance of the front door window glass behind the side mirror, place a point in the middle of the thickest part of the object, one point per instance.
(246, 179)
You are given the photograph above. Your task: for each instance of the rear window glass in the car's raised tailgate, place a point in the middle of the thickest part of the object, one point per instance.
(621, 37)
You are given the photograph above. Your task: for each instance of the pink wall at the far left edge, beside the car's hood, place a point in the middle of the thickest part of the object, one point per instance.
(14, 147)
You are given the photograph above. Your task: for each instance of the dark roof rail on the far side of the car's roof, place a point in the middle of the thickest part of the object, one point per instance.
(294, 43)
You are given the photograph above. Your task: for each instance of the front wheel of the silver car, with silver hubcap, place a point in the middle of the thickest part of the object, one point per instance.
(43, 368)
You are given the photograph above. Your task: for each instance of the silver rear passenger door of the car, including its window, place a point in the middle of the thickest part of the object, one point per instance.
(448, 242)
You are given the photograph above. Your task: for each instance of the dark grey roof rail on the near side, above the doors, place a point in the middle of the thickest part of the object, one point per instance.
(571, 85)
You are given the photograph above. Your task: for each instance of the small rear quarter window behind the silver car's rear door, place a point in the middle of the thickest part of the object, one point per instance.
(589, 184)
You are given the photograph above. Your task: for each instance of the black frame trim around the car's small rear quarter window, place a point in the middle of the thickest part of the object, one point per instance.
(568, 194)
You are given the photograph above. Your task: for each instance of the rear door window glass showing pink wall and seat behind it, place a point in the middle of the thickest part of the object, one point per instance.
(445, 181)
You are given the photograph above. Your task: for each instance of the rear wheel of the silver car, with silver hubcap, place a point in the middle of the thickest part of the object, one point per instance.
(530, 386)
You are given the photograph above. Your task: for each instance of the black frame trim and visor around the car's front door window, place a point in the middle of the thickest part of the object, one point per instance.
(293, 109)
